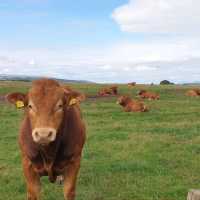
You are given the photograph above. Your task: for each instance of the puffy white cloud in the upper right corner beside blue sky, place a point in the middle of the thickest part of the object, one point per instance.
(159, 16)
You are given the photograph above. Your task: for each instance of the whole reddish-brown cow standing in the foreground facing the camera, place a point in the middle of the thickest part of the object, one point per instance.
(52, 136)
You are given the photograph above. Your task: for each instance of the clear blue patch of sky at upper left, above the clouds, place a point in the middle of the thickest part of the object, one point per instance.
(58, 23)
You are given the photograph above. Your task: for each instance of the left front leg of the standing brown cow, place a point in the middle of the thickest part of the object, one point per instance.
(32, 180)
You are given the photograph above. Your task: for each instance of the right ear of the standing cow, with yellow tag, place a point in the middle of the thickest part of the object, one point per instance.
(74, 97)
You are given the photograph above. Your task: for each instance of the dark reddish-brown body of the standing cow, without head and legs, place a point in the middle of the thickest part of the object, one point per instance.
(51, 160)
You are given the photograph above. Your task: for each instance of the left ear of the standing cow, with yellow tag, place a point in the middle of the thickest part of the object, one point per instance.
(18, 99)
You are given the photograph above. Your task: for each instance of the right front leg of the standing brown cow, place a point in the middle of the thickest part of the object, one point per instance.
(70, 176)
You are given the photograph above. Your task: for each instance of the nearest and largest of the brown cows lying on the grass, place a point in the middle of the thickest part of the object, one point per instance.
(130, 105)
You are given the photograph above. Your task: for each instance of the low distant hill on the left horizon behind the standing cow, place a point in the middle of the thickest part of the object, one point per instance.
(25, 78)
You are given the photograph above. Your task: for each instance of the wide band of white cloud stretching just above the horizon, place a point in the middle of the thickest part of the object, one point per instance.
(175, 59)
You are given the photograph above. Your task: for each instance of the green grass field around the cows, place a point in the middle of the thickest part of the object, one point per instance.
(128, 156)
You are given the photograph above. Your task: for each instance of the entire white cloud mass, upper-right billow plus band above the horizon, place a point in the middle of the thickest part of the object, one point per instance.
(174, 56)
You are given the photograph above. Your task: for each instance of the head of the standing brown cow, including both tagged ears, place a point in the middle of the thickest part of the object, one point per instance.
(45, 104)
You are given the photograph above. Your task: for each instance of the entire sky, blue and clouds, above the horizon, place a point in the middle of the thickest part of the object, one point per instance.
(105, 41)
